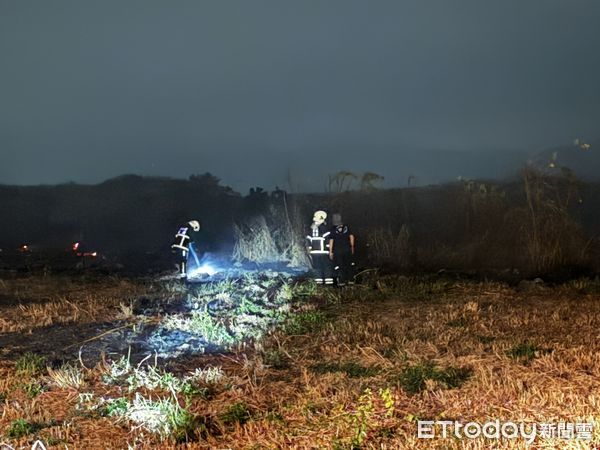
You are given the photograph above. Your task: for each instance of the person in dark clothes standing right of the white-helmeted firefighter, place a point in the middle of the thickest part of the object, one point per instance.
(341, 251)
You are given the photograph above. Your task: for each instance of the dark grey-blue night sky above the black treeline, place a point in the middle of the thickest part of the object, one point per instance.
(254, 90)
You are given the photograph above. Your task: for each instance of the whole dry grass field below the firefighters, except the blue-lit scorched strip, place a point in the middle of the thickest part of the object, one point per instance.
(356, 368)
